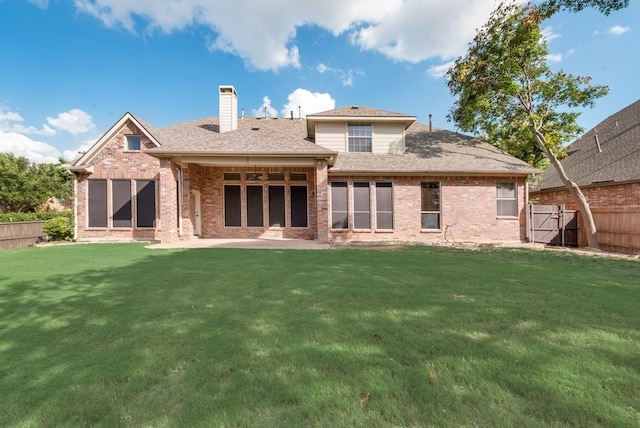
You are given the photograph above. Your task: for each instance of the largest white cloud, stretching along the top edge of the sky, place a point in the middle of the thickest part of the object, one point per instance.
(264, 33)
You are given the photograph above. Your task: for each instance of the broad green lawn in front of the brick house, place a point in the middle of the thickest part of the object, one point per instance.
(118, 335)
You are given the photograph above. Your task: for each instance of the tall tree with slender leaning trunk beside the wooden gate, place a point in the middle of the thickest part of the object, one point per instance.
(506, 90)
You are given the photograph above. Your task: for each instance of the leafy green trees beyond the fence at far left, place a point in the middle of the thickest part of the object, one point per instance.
(24, 186)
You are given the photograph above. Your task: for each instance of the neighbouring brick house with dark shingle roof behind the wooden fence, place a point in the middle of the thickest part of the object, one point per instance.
(604, 162)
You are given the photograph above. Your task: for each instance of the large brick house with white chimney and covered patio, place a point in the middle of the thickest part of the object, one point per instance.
(349, 174)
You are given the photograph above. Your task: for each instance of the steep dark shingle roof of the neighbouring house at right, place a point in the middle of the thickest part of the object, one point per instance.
(607, 154)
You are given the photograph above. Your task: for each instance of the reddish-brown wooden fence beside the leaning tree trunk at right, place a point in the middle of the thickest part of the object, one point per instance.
(618, 229)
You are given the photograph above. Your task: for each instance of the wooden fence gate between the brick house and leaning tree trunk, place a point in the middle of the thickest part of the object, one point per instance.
(552, 224)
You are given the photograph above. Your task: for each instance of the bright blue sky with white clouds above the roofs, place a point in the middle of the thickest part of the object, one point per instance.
(70, 69)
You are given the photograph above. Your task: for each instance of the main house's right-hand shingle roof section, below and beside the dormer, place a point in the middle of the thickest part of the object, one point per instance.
(434, 151)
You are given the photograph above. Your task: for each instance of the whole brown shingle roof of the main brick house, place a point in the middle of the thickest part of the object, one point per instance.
(428, 151)
